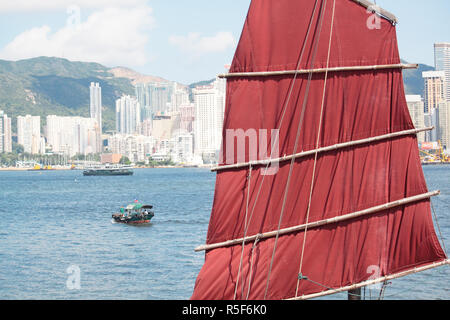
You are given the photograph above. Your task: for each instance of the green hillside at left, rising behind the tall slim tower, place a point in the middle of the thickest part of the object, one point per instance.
(43, 86)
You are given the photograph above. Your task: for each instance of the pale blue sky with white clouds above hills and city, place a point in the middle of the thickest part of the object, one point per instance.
(184, 41)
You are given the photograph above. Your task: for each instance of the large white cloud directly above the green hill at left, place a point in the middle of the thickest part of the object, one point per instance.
(112, 36)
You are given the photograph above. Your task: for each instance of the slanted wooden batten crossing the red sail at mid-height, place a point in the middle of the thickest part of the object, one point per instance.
(323, 149)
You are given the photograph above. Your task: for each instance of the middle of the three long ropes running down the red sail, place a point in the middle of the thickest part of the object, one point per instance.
(299, 127)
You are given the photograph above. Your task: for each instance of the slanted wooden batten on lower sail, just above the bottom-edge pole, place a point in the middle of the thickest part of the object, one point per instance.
(324, 222)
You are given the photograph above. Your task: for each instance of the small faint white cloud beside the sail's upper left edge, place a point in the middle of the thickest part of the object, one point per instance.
(198, 45)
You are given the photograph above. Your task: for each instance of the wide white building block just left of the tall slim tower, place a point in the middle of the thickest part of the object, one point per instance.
(73, 135)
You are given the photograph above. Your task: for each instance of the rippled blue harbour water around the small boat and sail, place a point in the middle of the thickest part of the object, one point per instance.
(54, 224)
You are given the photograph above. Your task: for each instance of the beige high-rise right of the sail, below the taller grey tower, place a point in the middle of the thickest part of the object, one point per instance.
(434, 89)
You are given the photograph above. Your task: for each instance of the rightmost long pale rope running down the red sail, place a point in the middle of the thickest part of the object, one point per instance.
(317, 146)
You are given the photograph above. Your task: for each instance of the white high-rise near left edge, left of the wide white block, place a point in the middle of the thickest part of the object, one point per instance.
(29, 134)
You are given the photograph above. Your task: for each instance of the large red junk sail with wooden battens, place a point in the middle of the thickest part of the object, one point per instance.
(357, 104)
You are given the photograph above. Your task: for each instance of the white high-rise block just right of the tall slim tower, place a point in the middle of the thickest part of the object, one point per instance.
(128, 115)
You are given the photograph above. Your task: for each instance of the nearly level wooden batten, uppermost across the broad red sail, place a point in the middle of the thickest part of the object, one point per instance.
(319, 70)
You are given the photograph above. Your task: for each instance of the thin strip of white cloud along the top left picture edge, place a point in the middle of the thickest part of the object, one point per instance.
(46, 5)
